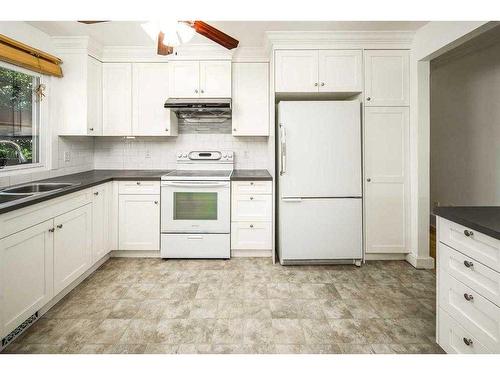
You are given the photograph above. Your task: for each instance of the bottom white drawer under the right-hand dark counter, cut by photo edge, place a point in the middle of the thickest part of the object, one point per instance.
(453, 338)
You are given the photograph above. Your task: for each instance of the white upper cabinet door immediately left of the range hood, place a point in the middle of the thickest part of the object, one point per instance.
(150, 90)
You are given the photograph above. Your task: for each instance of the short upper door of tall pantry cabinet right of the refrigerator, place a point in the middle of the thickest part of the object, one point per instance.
(387, 76)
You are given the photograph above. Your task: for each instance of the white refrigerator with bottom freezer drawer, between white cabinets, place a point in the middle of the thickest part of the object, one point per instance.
(320, 189)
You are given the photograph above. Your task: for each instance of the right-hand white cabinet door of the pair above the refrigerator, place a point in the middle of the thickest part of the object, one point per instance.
(340, 71)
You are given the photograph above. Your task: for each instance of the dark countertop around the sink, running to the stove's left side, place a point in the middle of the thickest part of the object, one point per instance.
(83, 180)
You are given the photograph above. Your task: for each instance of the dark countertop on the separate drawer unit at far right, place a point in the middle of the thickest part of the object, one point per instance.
(485, 220)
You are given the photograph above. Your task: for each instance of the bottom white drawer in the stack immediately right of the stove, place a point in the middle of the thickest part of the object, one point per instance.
(251, 235)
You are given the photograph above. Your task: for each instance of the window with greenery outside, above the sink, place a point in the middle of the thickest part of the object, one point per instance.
(19, 118)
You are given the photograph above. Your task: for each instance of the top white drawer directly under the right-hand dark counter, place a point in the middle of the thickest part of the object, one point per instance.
(476, 245)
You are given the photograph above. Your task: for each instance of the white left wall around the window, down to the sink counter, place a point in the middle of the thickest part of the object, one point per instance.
(81, 149)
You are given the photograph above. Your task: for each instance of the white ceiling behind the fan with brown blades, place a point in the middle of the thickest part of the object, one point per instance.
(249, 33)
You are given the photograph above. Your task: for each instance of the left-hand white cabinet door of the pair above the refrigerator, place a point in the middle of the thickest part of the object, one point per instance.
(296, 71)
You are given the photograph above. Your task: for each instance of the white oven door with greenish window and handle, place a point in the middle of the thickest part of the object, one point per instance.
(195, 207)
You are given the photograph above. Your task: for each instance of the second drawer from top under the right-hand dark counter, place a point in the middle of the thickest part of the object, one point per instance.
(480, 278)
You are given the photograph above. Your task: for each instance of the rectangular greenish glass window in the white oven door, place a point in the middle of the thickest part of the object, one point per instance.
(195, 206)
